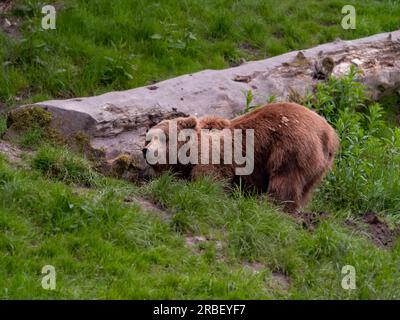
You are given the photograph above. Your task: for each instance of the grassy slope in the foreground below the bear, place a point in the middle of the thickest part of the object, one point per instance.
(104, 247)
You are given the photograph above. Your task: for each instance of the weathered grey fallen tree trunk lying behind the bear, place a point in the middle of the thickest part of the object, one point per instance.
(116, 122)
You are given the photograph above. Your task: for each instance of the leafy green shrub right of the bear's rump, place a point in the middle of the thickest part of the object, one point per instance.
(367, 167)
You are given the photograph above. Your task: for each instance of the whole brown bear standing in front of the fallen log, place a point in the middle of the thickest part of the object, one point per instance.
(292, 150)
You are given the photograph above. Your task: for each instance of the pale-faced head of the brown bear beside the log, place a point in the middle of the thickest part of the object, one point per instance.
(162, 144)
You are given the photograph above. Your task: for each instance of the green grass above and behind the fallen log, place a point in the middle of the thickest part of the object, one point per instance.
(98, 47)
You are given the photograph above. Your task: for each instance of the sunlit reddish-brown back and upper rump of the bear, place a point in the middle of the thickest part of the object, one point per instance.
(293, 129)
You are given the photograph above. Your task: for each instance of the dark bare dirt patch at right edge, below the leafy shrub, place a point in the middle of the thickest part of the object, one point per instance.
(377, 229)
